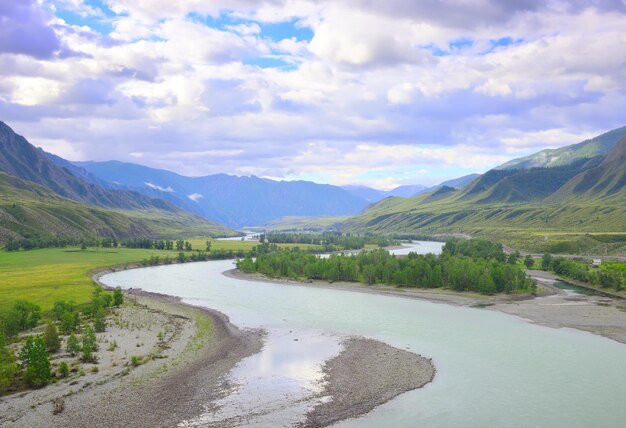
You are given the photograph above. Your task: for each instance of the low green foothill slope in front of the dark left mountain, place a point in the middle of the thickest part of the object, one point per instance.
(29, 210)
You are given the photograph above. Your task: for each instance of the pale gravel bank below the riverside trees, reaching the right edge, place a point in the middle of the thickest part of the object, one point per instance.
(550, 306)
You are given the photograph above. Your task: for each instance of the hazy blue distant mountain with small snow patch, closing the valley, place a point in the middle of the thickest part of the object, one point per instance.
(231, 200)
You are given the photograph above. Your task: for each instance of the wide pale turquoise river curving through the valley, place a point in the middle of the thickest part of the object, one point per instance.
(493, 370)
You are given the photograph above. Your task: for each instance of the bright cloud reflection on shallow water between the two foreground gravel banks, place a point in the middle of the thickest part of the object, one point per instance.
(277, 386)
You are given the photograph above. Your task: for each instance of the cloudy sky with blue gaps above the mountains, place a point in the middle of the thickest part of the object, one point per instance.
(379, 93)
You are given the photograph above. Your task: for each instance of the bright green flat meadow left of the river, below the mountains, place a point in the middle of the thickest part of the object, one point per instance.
(46, 275)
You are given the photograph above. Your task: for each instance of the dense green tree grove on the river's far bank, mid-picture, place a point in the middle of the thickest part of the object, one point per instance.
(476, 267)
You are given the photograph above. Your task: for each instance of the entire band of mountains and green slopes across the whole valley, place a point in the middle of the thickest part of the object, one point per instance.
(578, 188)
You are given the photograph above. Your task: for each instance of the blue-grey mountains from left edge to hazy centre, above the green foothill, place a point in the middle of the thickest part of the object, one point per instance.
(230, 200)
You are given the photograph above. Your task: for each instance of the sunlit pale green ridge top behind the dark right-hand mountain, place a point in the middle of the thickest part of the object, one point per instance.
(598, 146)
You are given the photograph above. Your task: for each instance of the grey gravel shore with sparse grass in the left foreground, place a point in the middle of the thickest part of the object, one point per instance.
(190, 372)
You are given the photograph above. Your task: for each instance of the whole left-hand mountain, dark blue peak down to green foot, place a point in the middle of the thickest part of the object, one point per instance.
(44, 197)
